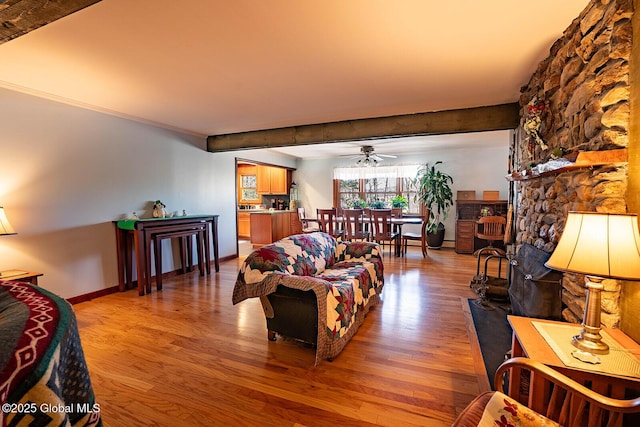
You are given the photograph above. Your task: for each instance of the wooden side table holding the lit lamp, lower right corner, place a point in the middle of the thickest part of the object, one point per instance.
(528, 342)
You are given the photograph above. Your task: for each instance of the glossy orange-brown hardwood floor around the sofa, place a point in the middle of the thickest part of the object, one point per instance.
(186, 356)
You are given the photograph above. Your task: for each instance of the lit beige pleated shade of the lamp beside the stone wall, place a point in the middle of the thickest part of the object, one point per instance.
(599, 244)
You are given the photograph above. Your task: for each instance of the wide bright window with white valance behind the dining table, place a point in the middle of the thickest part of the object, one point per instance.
(380, 184)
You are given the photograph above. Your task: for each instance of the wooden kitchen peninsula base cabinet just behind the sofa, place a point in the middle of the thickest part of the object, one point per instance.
(267, 227)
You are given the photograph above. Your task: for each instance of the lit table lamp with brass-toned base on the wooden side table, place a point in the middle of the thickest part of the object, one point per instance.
(598, 245)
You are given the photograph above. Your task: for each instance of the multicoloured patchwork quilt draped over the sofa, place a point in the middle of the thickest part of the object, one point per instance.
(346, 277)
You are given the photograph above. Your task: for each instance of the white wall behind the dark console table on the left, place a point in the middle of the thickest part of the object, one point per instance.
(66, 173)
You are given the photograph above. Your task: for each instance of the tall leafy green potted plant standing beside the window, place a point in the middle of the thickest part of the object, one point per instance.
(434, 190)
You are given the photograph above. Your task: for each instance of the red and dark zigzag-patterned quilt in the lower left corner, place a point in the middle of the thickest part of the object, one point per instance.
(44, 379)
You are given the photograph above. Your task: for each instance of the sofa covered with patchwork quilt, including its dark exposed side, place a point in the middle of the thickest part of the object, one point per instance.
(313, 288)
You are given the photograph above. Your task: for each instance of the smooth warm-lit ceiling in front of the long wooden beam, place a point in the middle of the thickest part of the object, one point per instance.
(218, 66)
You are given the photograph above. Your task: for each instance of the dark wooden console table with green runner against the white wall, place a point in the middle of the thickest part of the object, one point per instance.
(139, 233)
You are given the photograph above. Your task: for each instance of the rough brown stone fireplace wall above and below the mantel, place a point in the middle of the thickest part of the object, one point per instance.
(577, 100)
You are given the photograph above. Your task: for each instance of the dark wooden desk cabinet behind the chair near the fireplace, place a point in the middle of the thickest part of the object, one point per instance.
(467, 213)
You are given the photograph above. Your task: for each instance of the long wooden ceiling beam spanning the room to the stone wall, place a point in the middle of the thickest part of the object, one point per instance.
(480, 119)
